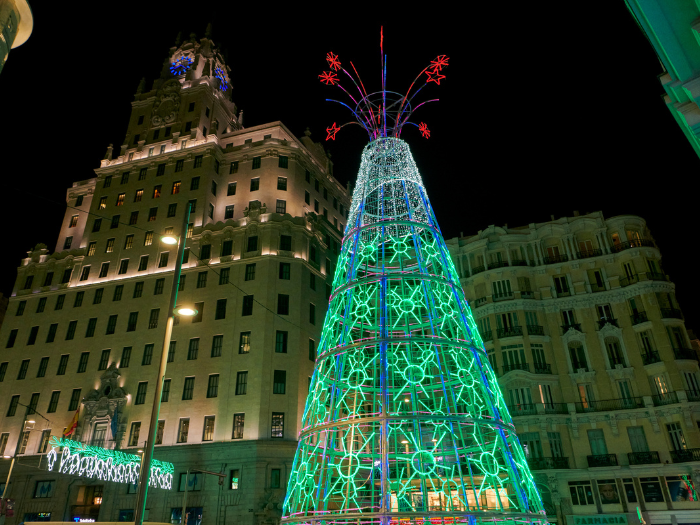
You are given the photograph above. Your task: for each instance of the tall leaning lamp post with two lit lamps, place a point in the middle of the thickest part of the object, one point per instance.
(145, 473)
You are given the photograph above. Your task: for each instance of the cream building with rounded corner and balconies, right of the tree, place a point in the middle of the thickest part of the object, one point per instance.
(582, 326)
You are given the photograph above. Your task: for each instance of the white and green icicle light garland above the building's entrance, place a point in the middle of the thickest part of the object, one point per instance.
(89, 461)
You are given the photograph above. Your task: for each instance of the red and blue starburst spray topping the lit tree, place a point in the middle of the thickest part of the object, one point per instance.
(382, 113)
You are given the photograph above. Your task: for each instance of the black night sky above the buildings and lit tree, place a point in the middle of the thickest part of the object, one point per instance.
(546, 109)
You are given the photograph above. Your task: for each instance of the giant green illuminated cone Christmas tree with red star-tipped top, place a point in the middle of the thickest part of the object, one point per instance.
(405, 421)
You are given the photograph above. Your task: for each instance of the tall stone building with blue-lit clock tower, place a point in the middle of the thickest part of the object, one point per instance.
(264, 232)
